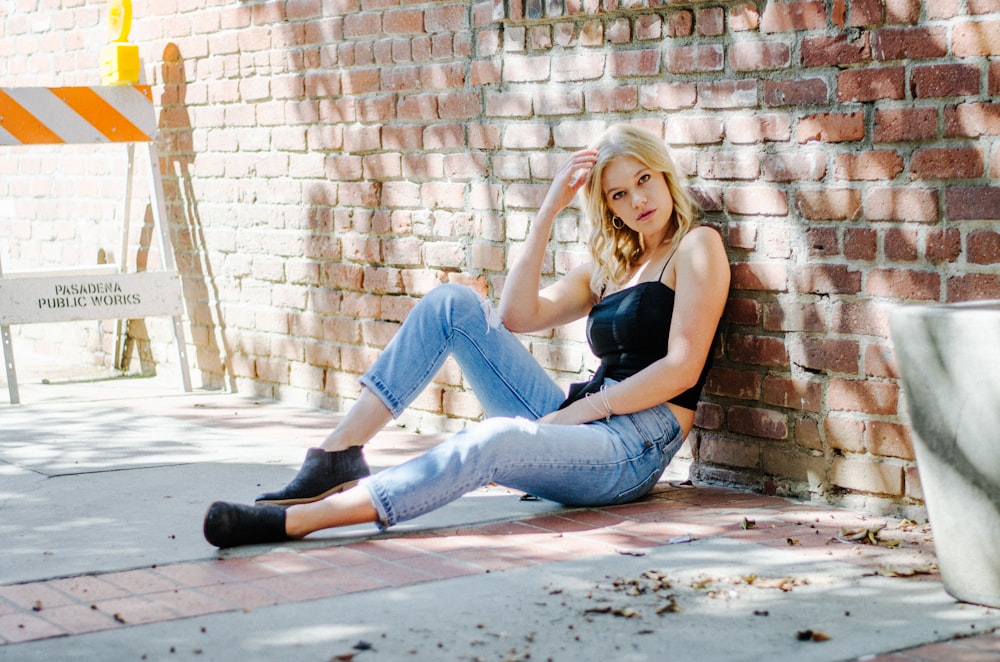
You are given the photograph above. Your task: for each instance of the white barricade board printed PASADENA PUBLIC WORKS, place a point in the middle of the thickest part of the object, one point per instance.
(68, 298)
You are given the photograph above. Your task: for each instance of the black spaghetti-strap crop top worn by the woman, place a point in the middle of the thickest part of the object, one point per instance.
(628, 330)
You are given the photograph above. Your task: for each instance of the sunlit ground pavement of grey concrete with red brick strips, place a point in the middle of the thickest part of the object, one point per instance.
(104, 485)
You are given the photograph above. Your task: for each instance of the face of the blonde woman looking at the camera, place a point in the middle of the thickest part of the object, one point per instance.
(639, 196)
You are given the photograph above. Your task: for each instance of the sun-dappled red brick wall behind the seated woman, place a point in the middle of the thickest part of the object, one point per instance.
(328, 162)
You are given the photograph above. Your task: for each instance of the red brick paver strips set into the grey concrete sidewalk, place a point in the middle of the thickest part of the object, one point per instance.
(672, 514)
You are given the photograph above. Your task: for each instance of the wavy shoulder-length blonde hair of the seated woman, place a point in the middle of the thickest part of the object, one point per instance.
(615, 250)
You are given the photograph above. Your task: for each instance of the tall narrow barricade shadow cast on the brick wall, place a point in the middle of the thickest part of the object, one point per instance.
(212, 355)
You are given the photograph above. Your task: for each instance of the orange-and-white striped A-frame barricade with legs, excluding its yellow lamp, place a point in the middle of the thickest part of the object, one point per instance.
(91, 115)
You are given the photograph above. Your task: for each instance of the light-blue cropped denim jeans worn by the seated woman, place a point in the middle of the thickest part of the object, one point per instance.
(599, 463)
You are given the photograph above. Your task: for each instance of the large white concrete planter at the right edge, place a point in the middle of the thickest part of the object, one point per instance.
(949, 359)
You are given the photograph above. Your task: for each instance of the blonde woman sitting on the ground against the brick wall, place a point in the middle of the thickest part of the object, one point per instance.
(653, 290)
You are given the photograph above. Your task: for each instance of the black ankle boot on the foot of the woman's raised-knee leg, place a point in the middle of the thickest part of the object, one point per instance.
(322, 474)
